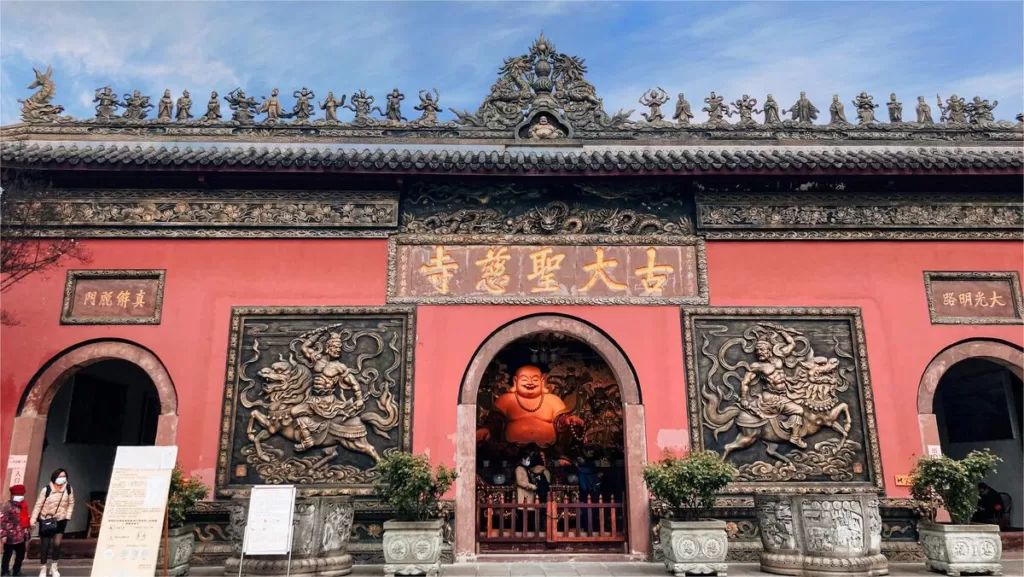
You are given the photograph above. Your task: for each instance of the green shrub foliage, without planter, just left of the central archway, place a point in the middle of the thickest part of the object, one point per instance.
(412, 487)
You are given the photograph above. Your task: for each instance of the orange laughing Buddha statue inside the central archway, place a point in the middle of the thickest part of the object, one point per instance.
(534, 415)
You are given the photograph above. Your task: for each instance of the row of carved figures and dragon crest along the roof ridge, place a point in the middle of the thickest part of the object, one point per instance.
(540, 96)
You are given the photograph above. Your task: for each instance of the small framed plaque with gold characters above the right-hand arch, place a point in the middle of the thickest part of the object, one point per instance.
(974, 299)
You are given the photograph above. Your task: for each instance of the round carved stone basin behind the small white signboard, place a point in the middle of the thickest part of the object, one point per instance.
(320, 541)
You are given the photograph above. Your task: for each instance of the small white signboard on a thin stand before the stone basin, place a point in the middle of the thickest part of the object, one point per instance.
(269, 525)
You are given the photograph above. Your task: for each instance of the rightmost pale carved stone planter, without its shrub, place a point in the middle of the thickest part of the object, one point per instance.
(962, 549)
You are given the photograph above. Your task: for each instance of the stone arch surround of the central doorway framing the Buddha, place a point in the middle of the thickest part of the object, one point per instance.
(638, 519)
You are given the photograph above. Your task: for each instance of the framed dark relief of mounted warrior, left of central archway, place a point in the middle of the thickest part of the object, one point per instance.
(316, 397)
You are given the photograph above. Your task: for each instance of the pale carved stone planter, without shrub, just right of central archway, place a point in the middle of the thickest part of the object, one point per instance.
(695, 548)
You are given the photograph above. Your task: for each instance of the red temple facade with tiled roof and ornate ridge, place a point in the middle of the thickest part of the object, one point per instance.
(291, 288)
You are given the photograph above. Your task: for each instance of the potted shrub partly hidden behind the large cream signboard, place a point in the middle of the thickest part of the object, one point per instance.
(181, 539)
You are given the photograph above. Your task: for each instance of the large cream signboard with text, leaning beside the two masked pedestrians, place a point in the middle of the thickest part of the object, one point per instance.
(134, 515)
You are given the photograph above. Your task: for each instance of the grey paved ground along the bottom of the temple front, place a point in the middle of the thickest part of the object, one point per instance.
(1011, 569)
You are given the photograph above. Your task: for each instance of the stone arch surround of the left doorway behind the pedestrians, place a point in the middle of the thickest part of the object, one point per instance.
(30, 431)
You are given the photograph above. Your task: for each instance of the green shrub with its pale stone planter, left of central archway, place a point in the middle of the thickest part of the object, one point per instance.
(412, 488)
